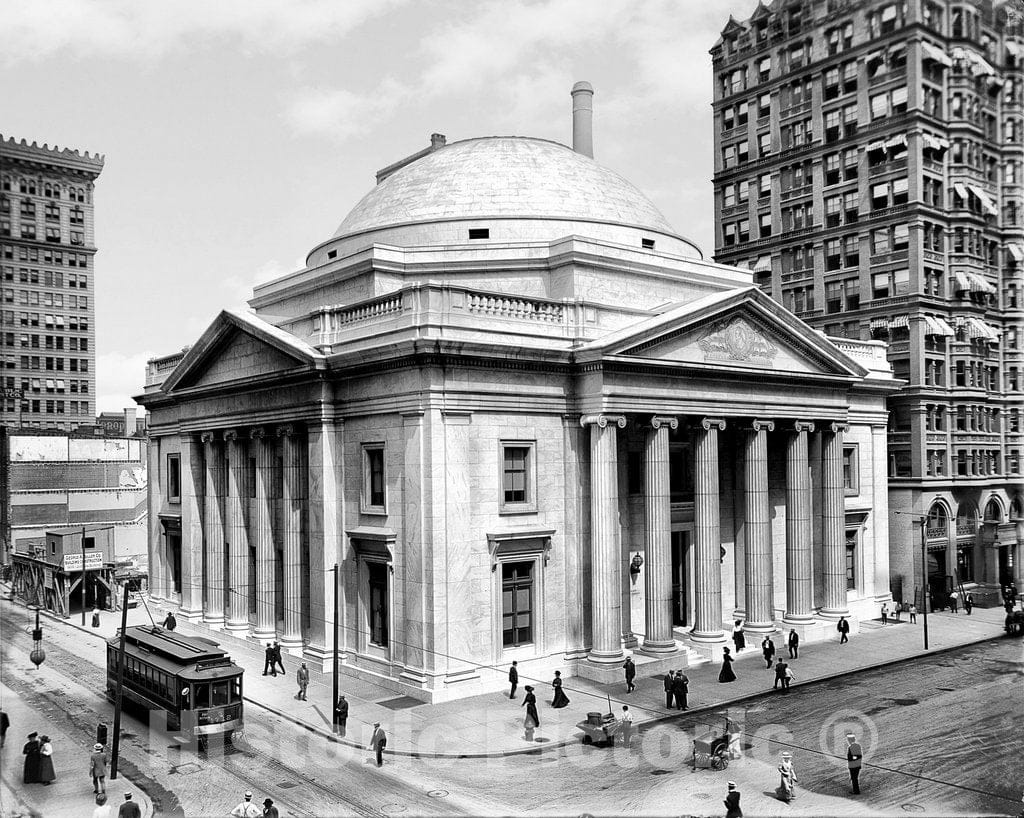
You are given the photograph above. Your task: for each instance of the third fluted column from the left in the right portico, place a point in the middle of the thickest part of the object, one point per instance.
(707, 535)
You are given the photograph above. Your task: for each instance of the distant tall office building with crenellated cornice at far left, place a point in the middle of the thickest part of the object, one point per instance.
(48, 247)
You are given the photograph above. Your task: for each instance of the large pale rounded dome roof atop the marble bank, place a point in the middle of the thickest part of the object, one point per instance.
(504, 178)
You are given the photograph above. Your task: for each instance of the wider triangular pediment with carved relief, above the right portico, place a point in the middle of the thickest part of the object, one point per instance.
(741, 330)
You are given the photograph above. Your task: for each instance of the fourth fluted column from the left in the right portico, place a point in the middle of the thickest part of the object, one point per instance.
(757, 552)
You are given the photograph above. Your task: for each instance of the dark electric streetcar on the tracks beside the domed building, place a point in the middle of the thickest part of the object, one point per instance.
(191, 679)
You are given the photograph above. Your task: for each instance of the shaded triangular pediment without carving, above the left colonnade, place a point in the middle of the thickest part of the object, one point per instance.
(237, 349)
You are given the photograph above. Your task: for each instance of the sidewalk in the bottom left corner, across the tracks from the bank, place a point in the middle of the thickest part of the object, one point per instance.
(71, 795)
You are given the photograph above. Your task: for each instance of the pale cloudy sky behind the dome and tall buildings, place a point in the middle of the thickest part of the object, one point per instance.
(239, 134)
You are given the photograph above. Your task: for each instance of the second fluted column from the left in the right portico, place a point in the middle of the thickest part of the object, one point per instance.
(658, 579)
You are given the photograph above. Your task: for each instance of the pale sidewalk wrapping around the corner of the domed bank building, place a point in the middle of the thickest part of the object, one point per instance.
(491, 725)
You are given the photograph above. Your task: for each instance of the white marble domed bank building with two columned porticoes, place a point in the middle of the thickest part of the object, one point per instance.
(527, 421)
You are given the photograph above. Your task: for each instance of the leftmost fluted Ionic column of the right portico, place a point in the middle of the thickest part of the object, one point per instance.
(607, 557)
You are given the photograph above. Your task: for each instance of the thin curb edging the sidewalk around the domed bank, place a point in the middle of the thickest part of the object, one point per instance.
(547, 748)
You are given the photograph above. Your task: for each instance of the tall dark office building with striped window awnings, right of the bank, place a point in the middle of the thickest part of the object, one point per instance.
(869, 160)
